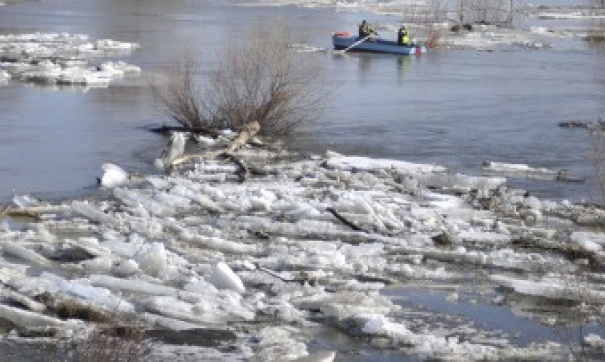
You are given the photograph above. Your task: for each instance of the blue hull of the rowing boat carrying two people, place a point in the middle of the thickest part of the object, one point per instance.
(342, 42)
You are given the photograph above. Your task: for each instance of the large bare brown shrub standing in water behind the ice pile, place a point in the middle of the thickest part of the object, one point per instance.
(261, 80)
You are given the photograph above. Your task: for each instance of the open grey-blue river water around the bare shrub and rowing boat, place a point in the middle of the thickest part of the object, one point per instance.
(452, 107)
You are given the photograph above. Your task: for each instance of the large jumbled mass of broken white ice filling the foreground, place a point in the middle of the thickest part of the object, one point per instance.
(303, 243)
